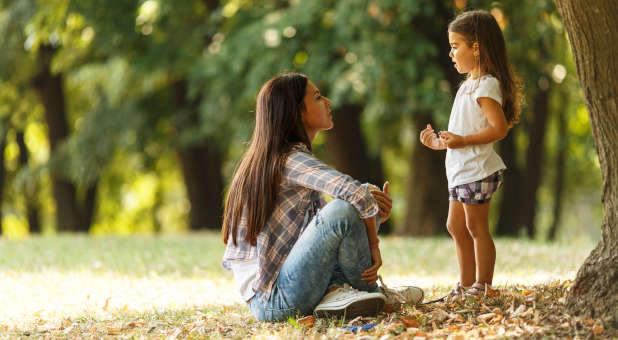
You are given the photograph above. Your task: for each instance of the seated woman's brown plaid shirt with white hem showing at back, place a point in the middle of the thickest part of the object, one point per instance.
(304, 180)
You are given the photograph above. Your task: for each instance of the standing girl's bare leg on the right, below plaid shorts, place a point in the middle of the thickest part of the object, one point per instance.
(478, 225)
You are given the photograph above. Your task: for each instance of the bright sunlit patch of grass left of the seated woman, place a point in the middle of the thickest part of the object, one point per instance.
(52, 296)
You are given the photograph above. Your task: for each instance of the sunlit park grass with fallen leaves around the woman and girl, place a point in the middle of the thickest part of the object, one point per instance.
(173, 286)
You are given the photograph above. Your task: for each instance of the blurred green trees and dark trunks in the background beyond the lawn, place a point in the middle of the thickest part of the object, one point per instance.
(129, 117)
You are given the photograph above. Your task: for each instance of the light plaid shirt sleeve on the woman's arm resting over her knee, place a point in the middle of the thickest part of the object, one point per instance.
(303, 169)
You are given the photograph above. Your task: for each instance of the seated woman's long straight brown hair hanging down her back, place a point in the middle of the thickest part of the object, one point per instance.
(278, 126)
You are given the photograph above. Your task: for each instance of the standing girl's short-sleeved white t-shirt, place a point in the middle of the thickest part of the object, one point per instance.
(474, 162)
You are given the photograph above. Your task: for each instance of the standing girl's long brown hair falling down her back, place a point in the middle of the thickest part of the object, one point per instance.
(481, 27)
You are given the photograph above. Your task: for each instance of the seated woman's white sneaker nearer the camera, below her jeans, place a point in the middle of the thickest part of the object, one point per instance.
(350, 303)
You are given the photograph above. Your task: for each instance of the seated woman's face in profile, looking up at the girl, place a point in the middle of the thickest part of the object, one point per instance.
(316, 116)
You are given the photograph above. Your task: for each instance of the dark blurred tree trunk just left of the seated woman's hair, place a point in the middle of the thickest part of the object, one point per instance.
(201, 168)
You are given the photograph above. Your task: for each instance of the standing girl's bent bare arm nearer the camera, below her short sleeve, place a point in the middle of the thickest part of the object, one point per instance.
(496, 130)
